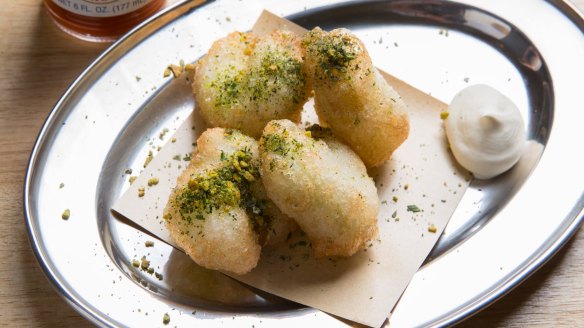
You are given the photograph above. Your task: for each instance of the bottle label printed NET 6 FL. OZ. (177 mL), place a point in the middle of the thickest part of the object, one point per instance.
(101, 8)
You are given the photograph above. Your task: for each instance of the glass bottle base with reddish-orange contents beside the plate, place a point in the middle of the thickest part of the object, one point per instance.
(100, 20)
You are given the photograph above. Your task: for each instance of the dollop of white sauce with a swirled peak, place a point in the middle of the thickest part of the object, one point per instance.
(485, 130)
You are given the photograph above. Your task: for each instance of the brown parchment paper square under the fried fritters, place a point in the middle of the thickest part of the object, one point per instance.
(365, 287)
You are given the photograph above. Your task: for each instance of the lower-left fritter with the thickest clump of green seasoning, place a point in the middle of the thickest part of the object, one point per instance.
(218, 213)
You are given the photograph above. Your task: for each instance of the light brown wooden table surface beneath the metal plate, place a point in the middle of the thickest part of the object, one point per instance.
(38, 62)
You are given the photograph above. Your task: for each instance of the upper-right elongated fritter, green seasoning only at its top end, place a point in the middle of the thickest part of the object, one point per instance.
(352, 98)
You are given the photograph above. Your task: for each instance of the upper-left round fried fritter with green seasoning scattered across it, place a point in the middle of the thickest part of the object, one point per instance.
(246, 81)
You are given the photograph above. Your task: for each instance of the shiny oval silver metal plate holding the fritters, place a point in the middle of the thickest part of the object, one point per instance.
(113, 114)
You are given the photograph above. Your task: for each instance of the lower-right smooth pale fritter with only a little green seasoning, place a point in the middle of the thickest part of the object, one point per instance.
(322, 184)
